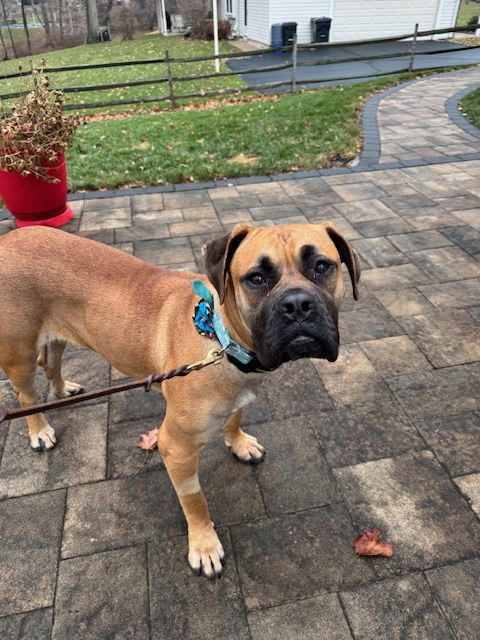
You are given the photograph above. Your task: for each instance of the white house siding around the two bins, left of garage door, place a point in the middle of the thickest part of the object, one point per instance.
(301, 13)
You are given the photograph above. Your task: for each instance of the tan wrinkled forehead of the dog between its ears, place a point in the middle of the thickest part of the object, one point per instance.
(282, 247)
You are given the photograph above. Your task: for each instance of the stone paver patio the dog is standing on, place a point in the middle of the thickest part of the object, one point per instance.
(93, 542)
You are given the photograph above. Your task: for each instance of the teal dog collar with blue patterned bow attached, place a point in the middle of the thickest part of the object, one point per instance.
(208, 322)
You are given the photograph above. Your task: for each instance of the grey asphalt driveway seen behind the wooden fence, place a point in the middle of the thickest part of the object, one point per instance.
(425, 59)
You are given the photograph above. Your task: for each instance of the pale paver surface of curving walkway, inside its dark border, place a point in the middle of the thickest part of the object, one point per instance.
(415, 124)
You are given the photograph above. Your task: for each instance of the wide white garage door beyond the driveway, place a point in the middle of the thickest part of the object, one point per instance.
(365, 19)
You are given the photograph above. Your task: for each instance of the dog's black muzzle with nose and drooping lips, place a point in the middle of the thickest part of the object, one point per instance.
(298, 323)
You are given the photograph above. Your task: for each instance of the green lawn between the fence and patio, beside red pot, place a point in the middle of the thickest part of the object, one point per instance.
(319, 128)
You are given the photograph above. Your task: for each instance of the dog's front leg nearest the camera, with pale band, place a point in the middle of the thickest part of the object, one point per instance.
(180, 453)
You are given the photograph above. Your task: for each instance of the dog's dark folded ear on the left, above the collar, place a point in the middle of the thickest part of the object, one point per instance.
(218, 256)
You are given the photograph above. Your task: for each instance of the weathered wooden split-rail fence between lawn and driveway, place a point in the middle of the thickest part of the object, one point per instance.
(169, 79)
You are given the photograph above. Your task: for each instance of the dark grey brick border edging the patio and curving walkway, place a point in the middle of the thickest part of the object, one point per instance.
(368, 159)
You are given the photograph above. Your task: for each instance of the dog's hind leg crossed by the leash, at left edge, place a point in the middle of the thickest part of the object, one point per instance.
(21, 374)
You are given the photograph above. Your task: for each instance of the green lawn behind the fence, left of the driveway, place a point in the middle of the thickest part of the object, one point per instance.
(141, 48)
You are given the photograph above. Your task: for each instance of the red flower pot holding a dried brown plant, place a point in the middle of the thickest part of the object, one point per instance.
(33, 201)
